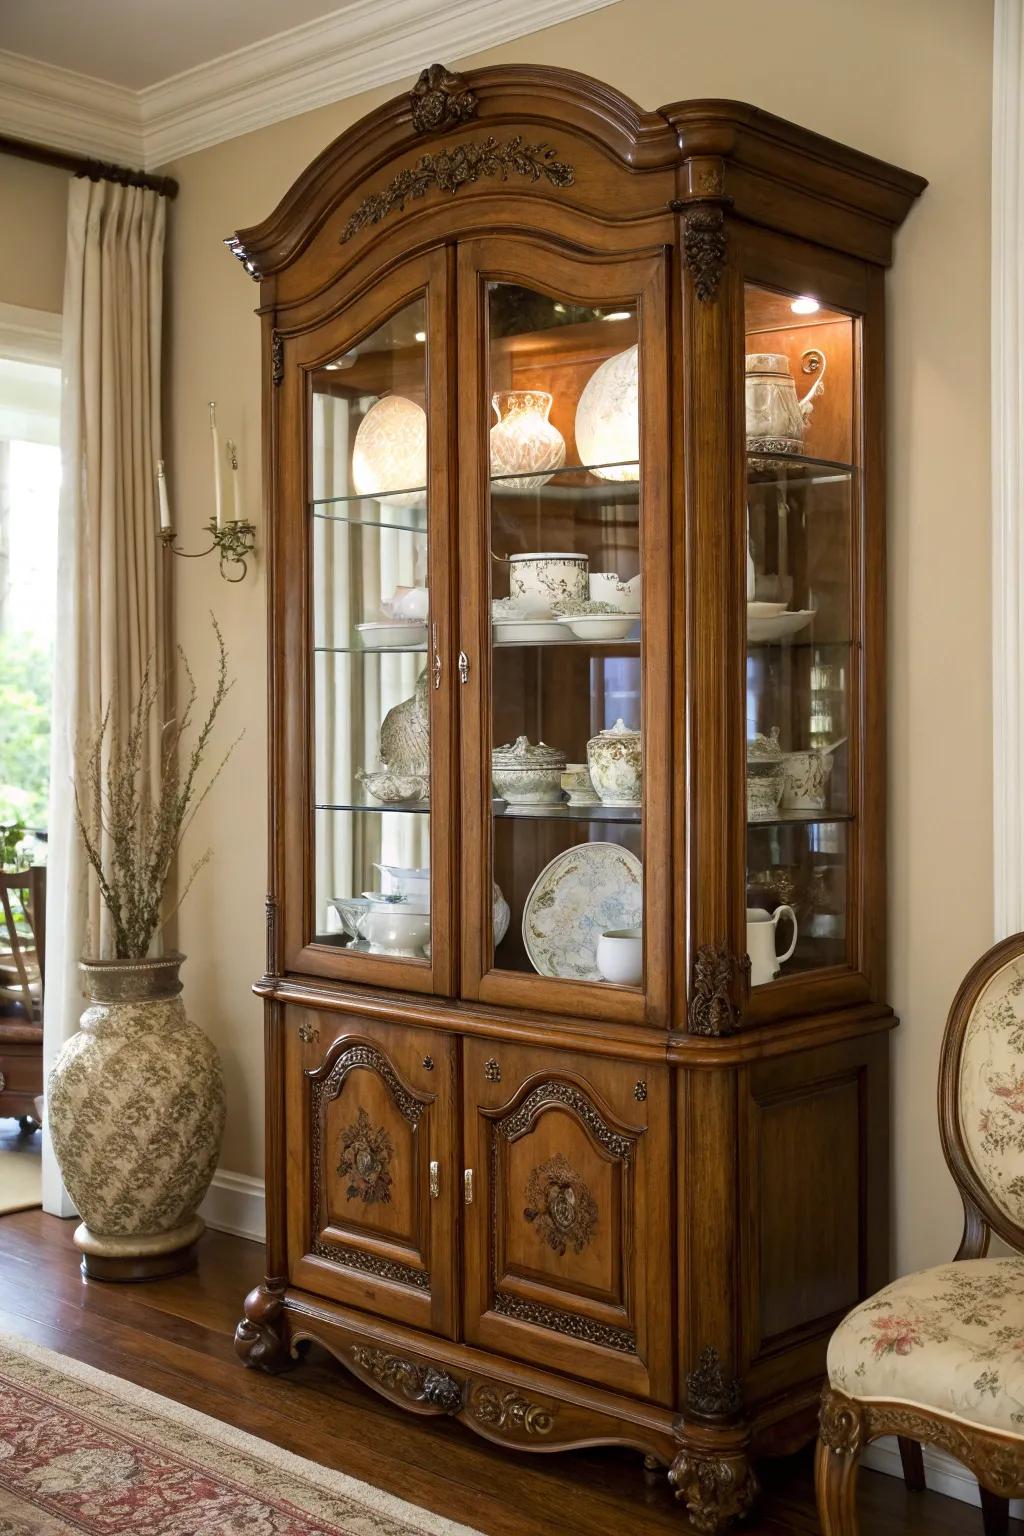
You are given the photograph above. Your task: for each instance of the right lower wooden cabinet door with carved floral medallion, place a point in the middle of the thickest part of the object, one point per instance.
(567, 1214)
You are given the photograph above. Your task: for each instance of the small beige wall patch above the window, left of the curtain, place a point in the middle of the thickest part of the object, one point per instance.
(33, 223)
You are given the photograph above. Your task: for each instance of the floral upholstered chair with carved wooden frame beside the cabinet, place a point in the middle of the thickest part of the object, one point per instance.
(937, 1359)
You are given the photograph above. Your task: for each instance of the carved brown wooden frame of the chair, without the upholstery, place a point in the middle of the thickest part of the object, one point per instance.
(848, 1425)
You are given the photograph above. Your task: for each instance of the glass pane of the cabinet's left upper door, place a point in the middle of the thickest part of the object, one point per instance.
(371, 620)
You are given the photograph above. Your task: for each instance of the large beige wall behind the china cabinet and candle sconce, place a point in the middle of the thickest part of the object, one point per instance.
(908, 82)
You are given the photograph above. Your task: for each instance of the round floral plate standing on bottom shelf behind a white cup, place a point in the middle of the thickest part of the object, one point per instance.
(578, 898)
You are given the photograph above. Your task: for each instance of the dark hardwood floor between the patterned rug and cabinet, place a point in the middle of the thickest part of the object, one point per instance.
(176, 1339)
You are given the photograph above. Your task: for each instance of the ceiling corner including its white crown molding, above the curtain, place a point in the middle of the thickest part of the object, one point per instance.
(145, 82)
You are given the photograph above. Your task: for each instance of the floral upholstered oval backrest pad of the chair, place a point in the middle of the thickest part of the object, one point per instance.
(993, 1090)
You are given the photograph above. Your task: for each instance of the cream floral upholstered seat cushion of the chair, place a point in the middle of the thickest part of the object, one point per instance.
(950, 1339)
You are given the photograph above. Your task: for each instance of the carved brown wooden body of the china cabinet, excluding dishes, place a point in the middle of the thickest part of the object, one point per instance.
(638, 1187)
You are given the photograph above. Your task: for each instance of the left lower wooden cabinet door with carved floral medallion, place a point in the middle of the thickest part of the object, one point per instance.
(372, 1167)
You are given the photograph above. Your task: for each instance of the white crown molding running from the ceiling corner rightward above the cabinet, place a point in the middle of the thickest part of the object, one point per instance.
(365, 45)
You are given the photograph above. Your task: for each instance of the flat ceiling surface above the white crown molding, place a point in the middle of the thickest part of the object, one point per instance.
(136, 44)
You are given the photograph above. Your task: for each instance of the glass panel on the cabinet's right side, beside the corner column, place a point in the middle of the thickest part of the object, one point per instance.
(801, 644)
